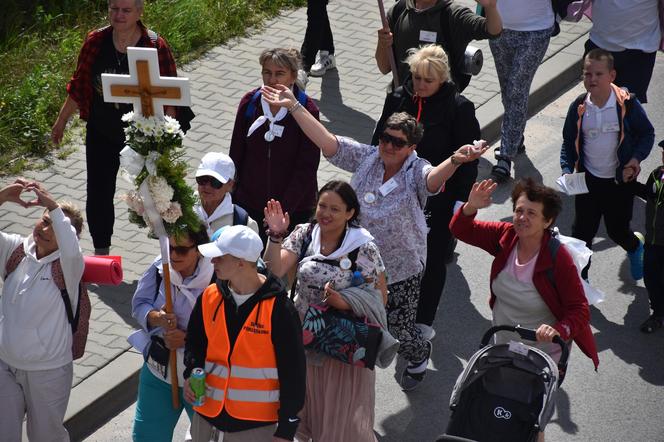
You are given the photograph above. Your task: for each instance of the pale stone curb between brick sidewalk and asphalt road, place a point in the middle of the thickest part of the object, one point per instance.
(113, 388)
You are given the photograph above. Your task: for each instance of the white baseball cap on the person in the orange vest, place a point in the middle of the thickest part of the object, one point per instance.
(238, 241)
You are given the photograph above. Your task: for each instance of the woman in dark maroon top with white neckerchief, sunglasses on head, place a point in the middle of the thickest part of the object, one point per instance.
(273, 157)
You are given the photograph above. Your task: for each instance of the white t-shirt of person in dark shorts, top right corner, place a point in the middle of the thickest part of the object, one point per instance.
(625, 24)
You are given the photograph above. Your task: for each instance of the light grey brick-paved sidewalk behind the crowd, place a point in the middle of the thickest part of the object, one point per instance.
(350, 99)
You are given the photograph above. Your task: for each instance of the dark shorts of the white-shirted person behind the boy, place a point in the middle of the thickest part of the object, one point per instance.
(633, 69)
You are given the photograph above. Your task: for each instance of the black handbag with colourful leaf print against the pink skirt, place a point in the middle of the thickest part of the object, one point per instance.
(341, 335)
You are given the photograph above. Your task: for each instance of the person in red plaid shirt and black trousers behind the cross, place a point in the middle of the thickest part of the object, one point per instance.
(105, 51)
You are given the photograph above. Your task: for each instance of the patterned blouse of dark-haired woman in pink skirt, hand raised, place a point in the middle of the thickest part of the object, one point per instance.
(312, 275)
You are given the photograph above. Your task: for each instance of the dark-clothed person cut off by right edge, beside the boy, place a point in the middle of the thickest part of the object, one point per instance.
(653, 260)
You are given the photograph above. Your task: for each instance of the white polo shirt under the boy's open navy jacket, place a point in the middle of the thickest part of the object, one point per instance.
(600, 138)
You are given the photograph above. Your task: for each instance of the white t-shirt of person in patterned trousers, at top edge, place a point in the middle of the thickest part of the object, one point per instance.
(526, 15)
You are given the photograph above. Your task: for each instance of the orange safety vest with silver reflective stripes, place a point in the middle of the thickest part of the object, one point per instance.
(247, 383)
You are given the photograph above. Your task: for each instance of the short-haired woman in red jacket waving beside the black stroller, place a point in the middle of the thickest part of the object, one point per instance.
(529, 287)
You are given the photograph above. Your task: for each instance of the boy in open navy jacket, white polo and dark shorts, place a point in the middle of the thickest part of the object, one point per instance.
(606, 135)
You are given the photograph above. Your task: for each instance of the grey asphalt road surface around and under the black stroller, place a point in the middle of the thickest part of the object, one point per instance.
(621, 402)
